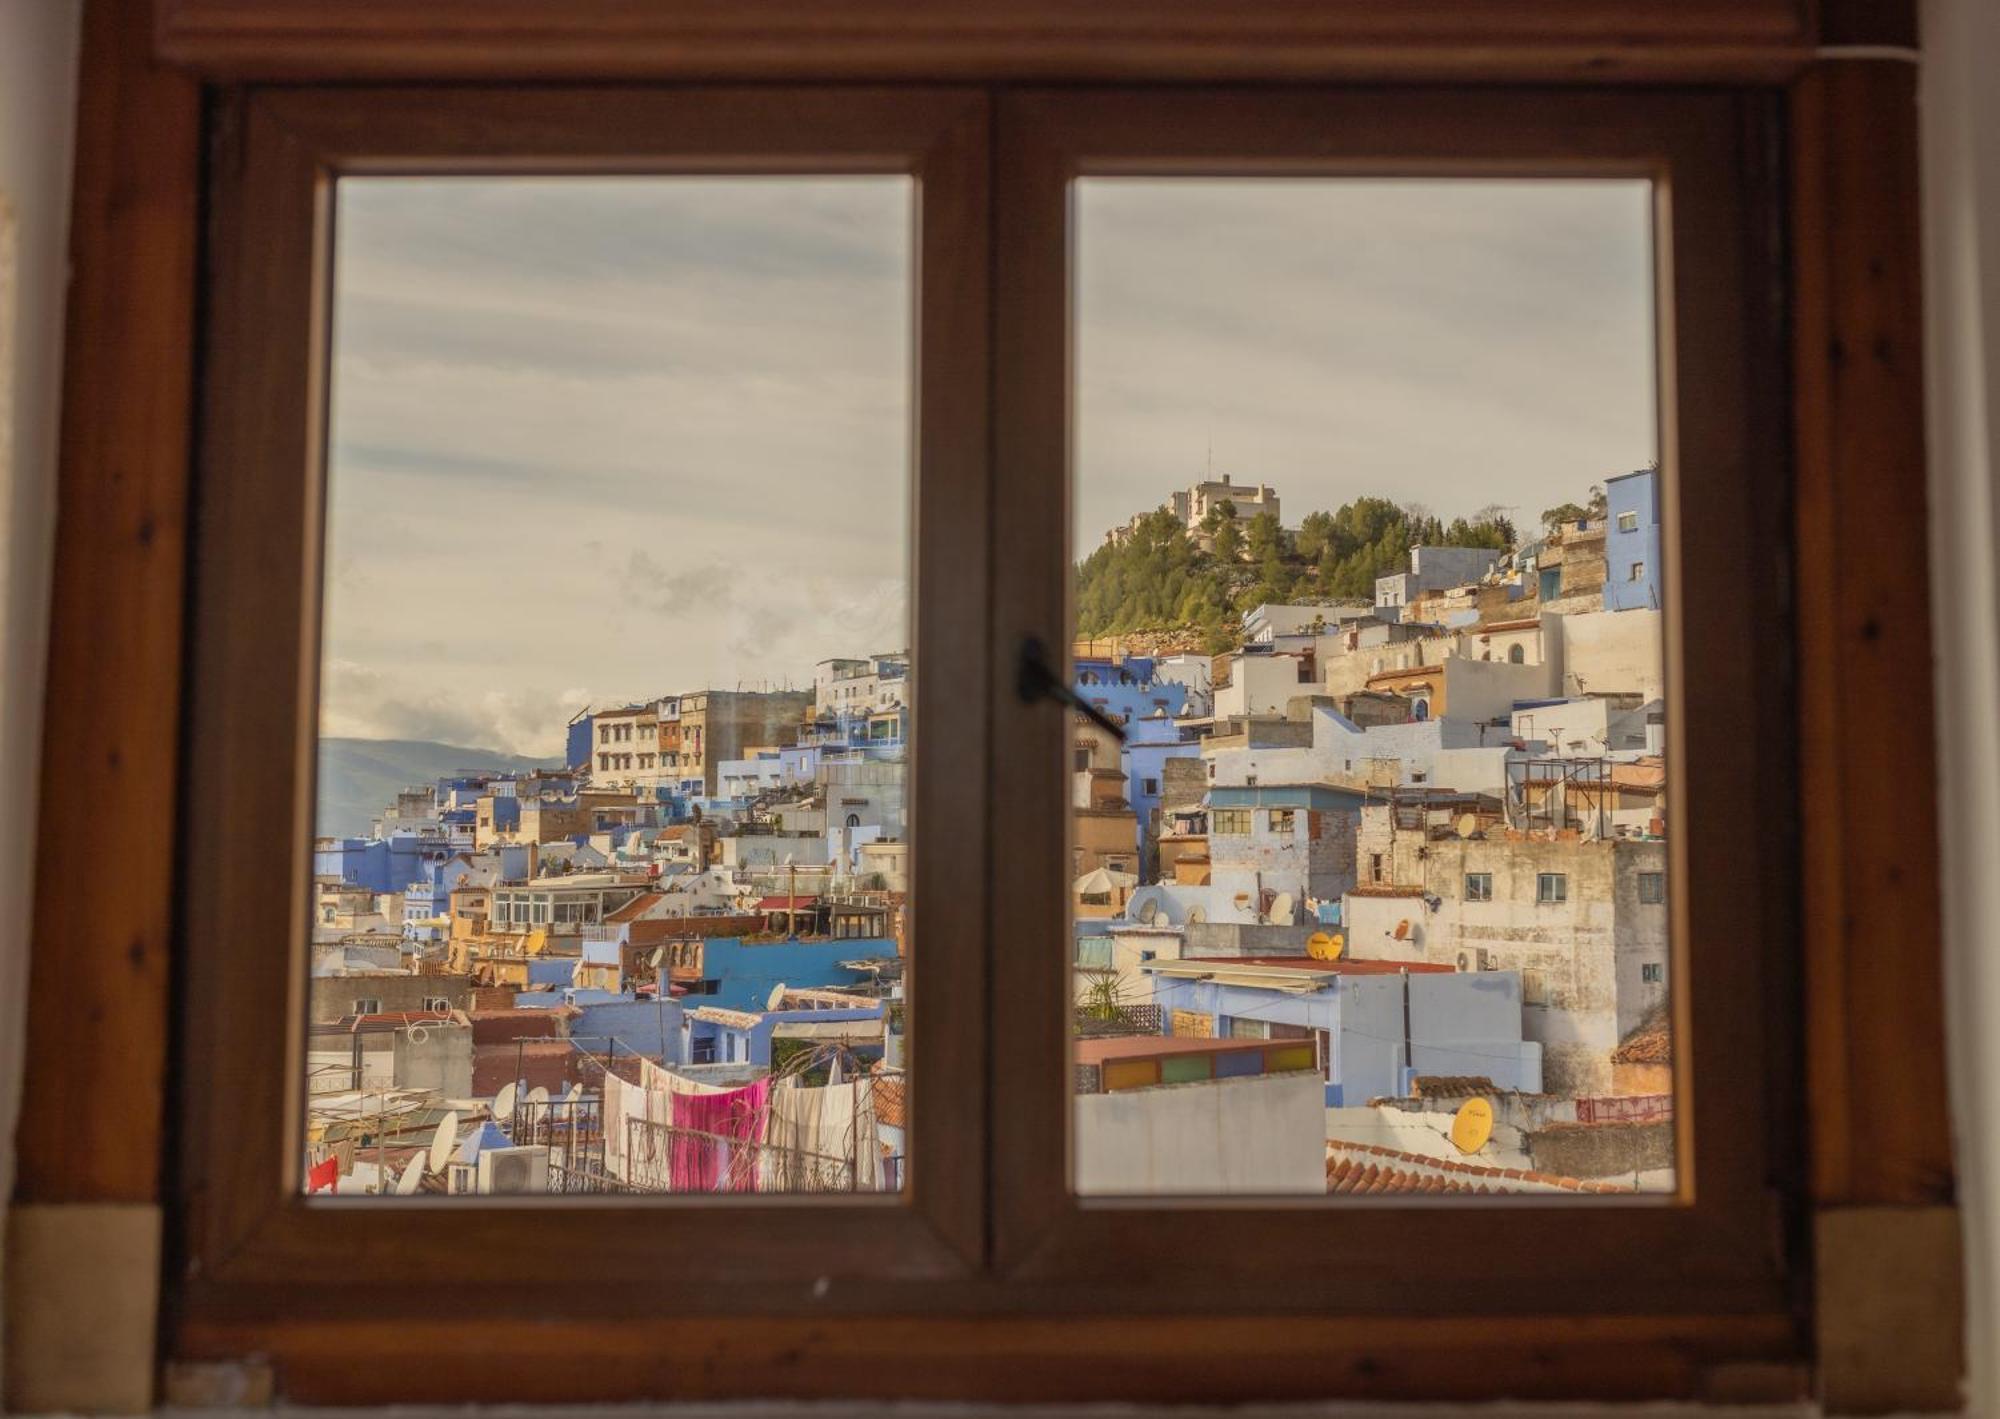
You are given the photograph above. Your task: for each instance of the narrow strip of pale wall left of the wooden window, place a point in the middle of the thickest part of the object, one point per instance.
(37, 133)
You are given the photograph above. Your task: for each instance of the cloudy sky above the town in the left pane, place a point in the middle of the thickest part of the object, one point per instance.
(609, 439)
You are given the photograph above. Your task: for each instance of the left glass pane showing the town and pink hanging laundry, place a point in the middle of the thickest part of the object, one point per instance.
(611, 862)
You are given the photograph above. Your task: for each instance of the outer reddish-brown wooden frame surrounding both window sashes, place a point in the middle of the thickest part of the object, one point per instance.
(1875, 1218)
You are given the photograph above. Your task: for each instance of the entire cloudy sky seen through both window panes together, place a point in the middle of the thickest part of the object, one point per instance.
(609, 439)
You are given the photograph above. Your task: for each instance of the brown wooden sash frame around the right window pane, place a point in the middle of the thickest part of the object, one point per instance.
(1719, 1246)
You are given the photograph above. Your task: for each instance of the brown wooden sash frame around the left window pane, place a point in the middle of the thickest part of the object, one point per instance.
(253, 701)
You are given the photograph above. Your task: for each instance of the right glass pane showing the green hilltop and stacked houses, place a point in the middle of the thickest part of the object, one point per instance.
(1373, 894)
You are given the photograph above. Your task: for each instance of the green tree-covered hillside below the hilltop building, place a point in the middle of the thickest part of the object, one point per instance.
(1163, 579)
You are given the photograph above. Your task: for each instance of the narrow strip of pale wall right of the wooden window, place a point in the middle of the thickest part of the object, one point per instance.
(1963, 359)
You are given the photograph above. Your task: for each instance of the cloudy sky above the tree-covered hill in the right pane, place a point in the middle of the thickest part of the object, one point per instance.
(1441, 343)
